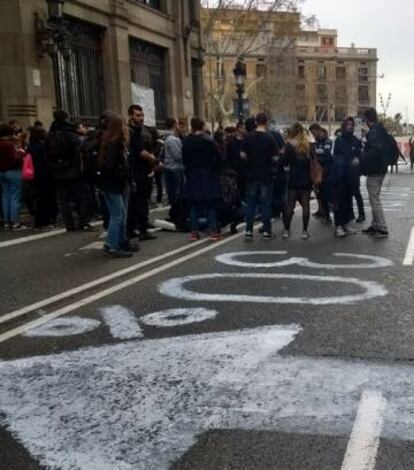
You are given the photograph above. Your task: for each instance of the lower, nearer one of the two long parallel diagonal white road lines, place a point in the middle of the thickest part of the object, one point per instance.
(111, 290)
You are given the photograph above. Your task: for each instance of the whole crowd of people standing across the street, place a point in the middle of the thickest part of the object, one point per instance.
(245, 172)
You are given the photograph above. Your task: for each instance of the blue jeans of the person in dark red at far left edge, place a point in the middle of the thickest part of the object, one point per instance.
(11, 185)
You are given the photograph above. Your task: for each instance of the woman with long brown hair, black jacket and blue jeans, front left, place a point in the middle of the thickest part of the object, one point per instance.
(113, 183)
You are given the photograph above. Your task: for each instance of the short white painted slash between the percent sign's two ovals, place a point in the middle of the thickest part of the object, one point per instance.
(122, 322)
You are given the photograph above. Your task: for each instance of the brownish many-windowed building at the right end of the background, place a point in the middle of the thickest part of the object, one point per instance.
(333, 82)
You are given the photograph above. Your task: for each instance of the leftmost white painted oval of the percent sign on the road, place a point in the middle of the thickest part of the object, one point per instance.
(64, 327)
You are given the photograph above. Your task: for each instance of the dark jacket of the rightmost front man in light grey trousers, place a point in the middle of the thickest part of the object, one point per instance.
(373, 159)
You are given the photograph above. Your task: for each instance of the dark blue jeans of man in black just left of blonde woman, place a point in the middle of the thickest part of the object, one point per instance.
(259, 193)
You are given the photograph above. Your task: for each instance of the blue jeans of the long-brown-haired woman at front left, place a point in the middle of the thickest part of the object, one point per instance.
(117, 220)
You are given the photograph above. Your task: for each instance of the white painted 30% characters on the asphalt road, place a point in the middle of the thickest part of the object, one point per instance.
(123, 324)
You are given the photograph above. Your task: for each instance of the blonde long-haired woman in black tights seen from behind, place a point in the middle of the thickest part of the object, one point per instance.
(297, 159)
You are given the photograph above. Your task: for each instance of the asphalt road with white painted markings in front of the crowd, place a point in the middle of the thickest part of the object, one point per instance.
(271, 355)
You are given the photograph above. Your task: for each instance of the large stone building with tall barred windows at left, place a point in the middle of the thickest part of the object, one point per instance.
(155, 44)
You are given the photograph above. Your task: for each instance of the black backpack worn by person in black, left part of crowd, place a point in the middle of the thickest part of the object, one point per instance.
(62, 149)
